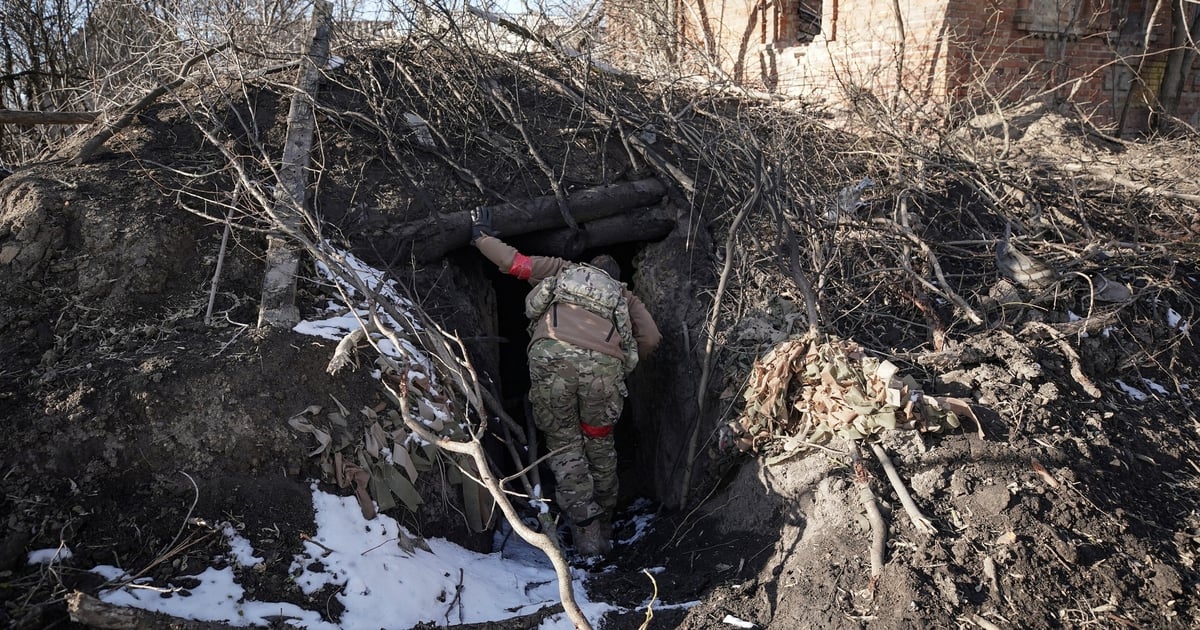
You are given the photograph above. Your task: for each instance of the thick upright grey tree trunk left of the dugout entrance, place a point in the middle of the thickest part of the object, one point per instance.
(279, 308)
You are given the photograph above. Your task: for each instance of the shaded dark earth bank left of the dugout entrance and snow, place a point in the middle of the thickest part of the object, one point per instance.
(113, 387)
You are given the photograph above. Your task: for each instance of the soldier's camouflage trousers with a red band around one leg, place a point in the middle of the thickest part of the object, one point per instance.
(569, 387)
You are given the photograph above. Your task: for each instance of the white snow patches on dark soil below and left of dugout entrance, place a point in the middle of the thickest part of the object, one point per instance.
(381, 585)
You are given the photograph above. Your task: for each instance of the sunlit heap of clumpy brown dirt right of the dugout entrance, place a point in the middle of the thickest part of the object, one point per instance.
(1071, 511)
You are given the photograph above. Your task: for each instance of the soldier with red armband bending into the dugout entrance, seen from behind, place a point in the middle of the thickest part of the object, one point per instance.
(589, 334)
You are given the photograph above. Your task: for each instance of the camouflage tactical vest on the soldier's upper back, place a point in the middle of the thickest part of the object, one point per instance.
(591, 289)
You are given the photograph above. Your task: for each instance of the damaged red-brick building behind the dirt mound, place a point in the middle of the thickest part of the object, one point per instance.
(1085, 52)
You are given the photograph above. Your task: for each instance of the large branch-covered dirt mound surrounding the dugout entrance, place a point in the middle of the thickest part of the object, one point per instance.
(1078, 507)
